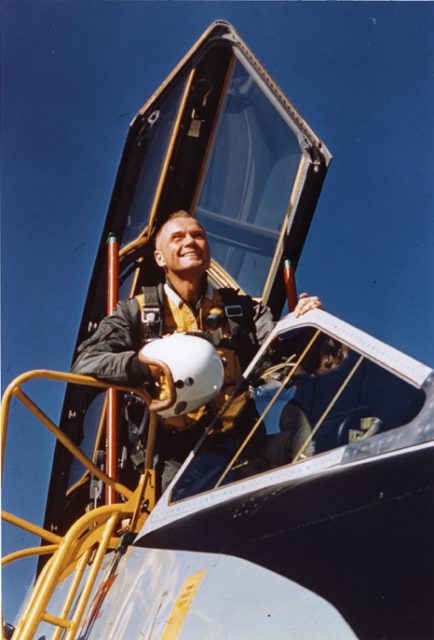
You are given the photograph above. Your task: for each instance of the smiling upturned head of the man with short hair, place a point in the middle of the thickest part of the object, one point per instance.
(182, 248)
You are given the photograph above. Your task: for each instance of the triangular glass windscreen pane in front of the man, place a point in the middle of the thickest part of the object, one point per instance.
(308, 394)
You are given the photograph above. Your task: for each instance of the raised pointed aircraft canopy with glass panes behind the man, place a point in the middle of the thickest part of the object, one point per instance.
(220, 140)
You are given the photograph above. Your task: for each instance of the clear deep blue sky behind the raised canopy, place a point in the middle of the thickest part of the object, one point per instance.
(73, 76)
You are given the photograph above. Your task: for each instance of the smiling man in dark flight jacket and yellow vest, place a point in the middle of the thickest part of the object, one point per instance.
(189, 303)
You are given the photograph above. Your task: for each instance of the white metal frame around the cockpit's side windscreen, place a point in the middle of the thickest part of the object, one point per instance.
(416, 434)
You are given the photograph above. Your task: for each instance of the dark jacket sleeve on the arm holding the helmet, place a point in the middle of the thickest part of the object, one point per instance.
(110, 354)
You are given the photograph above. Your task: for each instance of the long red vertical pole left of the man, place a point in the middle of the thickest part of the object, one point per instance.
(112, 396)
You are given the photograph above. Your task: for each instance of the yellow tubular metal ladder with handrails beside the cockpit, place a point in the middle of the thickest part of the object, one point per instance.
(91, 536)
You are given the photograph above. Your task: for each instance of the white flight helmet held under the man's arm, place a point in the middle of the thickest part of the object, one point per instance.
(196, 367)
